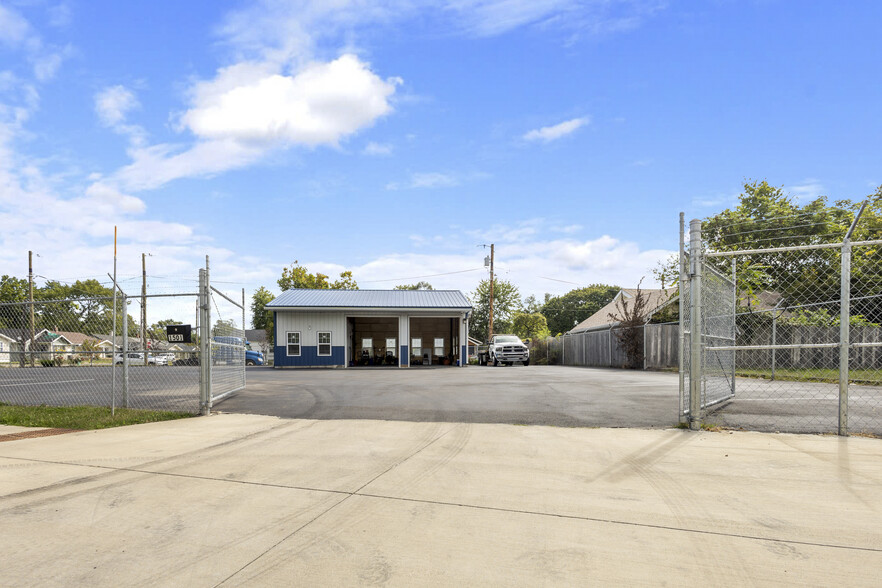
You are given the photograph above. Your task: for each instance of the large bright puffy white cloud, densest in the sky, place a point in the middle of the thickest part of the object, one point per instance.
(321, 104)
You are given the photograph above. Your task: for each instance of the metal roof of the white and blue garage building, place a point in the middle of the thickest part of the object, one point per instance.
(428, 299)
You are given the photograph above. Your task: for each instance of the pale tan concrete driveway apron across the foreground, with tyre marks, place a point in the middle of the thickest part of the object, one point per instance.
(240, 500)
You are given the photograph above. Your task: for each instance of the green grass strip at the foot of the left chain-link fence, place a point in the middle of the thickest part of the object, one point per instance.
(81, 417)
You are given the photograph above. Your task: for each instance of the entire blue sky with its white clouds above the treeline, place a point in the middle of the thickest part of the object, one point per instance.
(394, 137)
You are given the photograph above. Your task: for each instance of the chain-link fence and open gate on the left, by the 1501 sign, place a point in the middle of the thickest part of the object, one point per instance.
(98, 350)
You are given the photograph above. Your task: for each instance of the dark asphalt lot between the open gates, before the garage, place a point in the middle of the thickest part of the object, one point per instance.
(535, 395)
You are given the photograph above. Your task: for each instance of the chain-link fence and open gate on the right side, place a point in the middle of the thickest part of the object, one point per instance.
(791, 337)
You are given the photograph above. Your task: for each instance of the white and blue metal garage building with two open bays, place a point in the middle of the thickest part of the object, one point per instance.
(395, 328)
